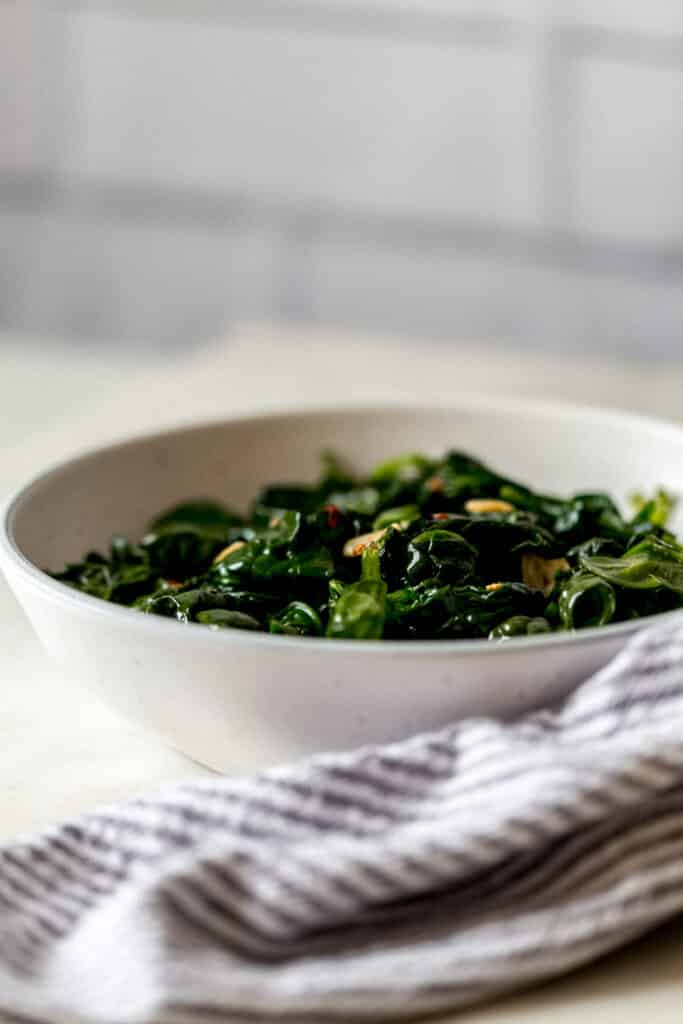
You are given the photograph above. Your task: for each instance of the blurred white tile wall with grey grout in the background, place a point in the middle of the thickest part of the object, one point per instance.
(509, 169)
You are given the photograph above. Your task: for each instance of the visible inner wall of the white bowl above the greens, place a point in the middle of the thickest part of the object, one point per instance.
(81, 504)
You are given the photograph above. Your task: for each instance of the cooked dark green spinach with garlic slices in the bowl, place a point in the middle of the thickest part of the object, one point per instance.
(422, 548)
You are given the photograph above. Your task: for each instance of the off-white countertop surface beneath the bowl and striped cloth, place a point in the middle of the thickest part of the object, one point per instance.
(62, 752)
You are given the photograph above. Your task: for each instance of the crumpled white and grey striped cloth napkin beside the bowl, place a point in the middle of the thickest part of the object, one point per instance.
(370, 886)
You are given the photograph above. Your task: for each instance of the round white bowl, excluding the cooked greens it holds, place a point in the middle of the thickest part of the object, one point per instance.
(241, 701)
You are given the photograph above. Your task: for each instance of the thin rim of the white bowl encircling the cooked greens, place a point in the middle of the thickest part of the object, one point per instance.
(121, 617)
